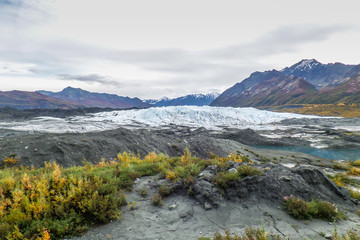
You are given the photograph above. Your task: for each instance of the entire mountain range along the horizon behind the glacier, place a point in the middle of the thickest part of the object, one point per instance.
(306, 82)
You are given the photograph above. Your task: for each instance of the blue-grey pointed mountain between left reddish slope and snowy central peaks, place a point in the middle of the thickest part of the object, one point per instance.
(91, 99)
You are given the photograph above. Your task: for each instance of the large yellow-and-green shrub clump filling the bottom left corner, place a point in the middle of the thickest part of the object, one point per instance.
(56, 198)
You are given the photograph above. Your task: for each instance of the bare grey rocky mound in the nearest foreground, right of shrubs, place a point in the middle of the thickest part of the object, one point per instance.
(202, 209)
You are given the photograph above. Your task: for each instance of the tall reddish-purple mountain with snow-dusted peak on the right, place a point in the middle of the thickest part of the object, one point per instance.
(306, 82)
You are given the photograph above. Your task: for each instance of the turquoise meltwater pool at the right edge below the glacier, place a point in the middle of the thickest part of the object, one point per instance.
(335, 154)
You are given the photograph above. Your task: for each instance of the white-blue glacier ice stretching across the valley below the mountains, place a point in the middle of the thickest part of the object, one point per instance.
(212, 118)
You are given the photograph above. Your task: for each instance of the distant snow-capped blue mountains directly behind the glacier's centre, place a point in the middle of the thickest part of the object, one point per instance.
(188, 100)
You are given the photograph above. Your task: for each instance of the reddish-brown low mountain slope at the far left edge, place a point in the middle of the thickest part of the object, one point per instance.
(32, 100)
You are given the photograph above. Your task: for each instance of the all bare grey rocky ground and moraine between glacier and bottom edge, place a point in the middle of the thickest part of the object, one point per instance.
(202, 207)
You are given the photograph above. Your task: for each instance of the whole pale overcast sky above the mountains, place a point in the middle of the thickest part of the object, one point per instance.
(156, 48)
